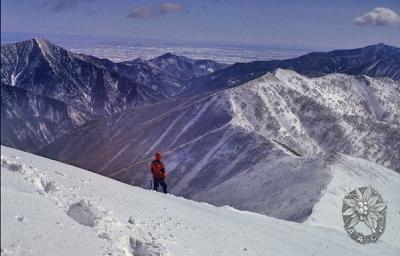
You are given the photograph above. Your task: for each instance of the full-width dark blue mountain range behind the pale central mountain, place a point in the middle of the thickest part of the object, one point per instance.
(94, 88)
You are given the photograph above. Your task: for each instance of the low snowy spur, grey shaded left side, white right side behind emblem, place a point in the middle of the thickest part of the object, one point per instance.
(322, 183)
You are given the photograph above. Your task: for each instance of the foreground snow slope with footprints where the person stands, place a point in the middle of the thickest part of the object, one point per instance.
(49, 208)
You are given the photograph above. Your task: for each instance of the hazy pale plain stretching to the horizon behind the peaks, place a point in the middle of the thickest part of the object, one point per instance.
(125, 49)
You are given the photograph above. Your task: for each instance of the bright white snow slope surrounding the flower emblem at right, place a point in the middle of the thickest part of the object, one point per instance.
(349, 173)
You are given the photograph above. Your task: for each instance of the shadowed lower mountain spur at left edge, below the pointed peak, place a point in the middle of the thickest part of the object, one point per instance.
(31, 119)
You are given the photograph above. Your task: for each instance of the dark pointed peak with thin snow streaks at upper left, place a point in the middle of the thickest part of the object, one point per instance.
(44, 69)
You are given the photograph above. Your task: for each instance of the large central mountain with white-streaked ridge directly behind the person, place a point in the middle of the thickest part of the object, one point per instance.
(268, 136)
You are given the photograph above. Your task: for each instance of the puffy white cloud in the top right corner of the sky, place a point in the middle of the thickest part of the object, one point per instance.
(379, 16)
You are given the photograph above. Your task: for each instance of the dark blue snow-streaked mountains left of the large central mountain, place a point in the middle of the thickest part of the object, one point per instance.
(88, 87)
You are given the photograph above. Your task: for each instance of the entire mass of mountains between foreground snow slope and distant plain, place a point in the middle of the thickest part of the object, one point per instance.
(220, 127)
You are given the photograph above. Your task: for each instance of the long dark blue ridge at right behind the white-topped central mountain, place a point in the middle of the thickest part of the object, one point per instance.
(375, 61)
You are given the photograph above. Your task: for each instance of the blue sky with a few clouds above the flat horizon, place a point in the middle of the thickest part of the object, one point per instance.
(312, 24)
